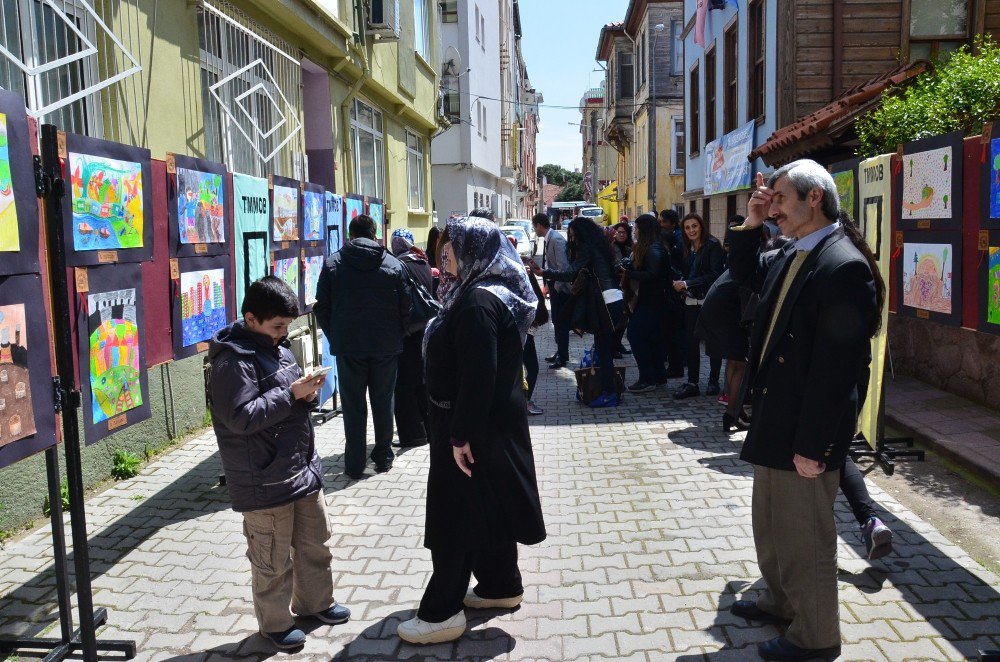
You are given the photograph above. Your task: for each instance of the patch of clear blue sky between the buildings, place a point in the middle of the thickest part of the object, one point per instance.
(559, 41)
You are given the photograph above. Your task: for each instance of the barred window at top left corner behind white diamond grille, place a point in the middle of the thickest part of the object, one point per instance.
(34, 33)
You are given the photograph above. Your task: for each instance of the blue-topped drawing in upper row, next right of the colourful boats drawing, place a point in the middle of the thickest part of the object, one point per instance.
(200, 206)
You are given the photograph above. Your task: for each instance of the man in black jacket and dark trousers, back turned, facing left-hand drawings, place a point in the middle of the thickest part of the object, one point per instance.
(362, 305)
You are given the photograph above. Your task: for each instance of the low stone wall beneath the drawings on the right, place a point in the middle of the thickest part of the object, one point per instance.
(960, 361)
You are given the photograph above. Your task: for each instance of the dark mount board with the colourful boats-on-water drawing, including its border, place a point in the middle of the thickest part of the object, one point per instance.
(107, 205)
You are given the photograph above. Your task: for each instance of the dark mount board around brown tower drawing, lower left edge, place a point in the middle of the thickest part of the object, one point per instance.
(27, 421)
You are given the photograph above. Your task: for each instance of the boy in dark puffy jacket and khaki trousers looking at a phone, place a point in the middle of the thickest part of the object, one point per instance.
(260, 404)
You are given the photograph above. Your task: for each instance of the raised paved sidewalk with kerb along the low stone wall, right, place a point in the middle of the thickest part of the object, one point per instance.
(955, 428)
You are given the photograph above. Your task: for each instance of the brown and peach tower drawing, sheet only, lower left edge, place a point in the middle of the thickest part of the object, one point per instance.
(17, 420)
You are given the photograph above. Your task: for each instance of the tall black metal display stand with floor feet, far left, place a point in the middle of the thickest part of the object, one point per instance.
(83, 641)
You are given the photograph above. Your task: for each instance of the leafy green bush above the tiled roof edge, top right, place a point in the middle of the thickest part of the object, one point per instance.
(960, 94)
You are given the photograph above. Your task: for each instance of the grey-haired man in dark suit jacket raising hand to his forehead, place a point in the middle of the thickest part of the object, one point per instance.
(809, 350)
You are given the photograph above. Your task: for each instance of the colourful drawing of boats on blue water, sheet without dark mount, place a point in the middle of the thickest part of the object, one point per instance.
(107, 203)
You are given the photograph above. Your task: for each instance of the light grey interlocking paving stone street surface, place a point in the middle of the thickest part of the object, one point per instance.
(648, 514)
